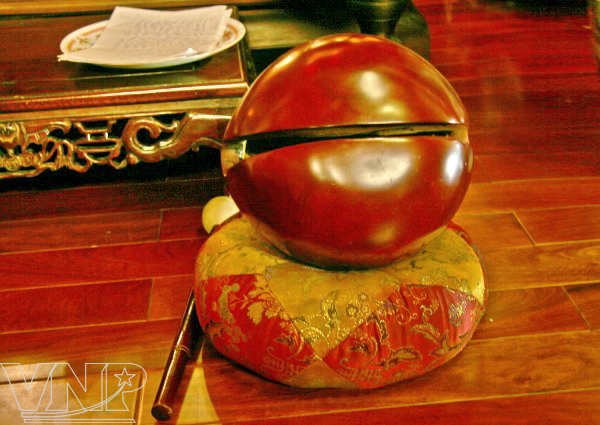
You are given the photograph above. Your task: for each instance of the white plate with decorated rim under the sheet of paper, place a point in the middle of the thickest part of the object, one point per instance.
(85, 37)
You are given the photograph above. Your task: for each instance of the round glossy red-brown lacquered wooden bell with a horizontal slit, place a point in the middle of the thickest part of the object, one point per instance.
(348, 152)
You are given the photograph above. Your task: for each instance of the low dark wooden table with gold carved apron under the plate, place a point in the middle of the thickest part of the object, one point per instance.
(56, 115)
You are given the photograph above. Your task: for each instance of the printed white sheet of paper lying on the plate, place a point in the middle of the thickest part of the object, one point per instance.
(135, 35)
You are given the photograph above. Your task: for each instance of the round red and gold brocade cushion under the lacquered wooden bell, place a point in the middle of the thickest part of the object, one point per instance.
(310, 327)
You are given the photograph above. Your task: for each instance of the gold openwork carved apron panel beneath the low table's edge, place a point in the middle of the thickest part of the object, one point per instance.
(30, 148)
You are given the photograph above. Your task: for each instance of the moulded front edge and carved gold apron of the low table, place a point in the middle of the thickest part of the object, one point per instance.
(109, 129)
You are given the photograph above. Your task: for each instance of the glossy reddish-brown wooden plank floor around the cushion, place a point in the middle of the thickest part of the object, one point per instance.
(98, 270)
